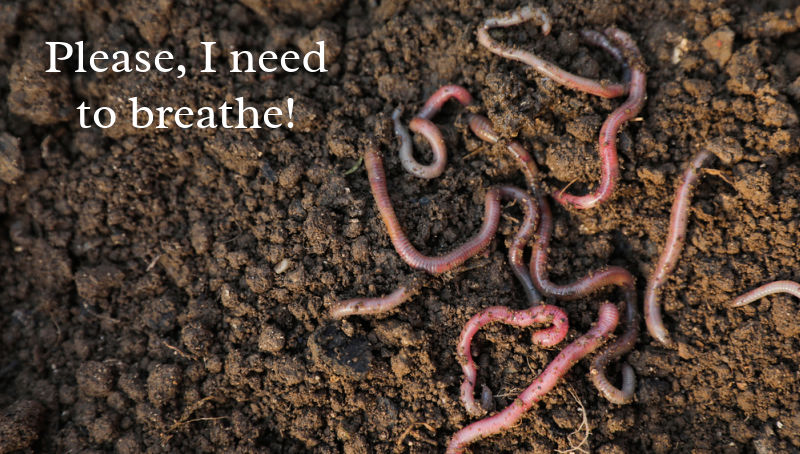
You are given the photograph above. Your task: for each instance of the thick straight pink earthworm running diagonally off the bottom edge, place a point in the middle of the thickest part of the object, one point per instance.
(607, 320)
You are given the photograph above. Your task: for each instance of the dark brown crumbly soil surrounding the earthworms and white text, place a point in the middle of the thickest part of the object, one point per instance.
(167, 291)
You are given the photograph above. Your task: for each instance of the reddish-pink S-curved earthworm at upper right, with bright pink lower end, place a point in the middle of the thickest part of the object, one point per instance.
(609, 162)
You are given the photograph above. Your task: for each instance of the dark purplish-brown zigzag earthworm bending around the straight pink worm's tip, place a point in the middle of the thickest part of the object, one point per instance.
(612, 275)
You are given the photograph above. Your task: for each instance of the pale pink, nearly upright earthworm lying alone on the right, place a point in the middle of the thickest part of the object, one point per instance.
(679, 217)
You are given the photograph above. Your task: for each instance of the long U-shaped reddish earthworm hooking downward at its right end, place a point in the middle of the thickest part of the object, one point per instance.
(440, 264)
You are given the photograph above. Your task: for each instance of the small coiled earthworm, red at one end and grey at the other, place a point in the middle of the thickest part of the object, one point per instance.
(422, 124)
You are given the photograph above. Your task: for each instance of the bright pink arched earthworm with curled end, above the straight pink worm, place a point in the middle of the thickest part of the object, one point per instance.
(546, 337)
